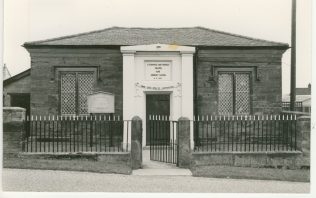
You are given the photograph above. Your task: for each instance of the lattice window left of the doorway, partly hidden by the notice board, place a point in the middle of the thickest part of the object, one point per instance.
(74, 89)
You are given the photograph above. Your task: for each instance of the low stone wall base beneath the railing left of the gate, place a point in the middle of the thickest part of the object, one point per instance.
(92, 162)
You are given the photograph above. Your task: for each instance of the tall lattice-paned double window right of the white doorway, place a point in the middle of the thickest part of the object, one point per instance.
(233, 93)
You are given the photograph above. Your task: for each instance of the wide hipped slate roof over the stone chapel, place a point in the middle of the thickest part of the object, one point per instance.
(191, 36)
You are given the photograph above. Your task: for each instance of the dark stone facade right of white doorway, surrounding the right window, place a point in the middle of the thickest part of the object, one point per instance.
(266, 93)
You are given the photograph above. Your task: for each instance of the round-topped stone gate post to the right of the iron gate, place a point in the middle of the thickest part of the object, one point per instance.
(184, 152)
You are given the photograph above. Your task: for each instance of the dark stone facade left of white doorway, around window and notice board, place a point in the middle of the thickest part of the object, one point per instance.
(44, 78)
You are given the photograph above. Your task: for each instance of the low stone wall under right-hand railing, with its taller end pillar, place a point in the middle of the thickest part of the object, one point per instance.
(299, 159)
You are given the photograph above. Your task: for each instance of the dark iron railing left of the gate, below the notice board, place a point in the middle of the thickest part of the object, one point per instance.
(75, 134)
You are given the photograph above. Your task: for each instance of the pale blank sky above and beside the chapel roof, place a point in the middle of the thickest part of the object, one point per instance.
(30, 20)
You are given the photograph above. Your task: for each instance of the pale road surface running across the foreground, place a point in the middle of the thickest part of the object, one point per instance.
(70, 181)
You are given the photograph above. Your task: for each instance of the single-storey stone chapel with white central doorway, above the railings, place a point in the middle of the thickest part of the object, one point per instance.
(179, 72)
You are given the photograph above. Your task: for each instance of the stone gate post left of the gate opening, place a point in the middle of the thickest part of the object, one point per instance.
(136, 142)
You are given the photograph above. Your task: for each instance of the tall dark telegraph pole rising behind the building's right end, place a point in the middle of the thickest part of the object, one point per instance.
(293, 58)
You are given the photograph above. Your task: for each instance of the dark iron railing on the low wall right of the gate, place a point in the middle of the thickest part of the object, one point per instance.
(245, 133)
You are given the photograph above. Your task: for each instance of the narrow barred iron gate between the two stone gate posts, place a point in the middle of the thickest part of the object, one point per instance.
(163, 135)
